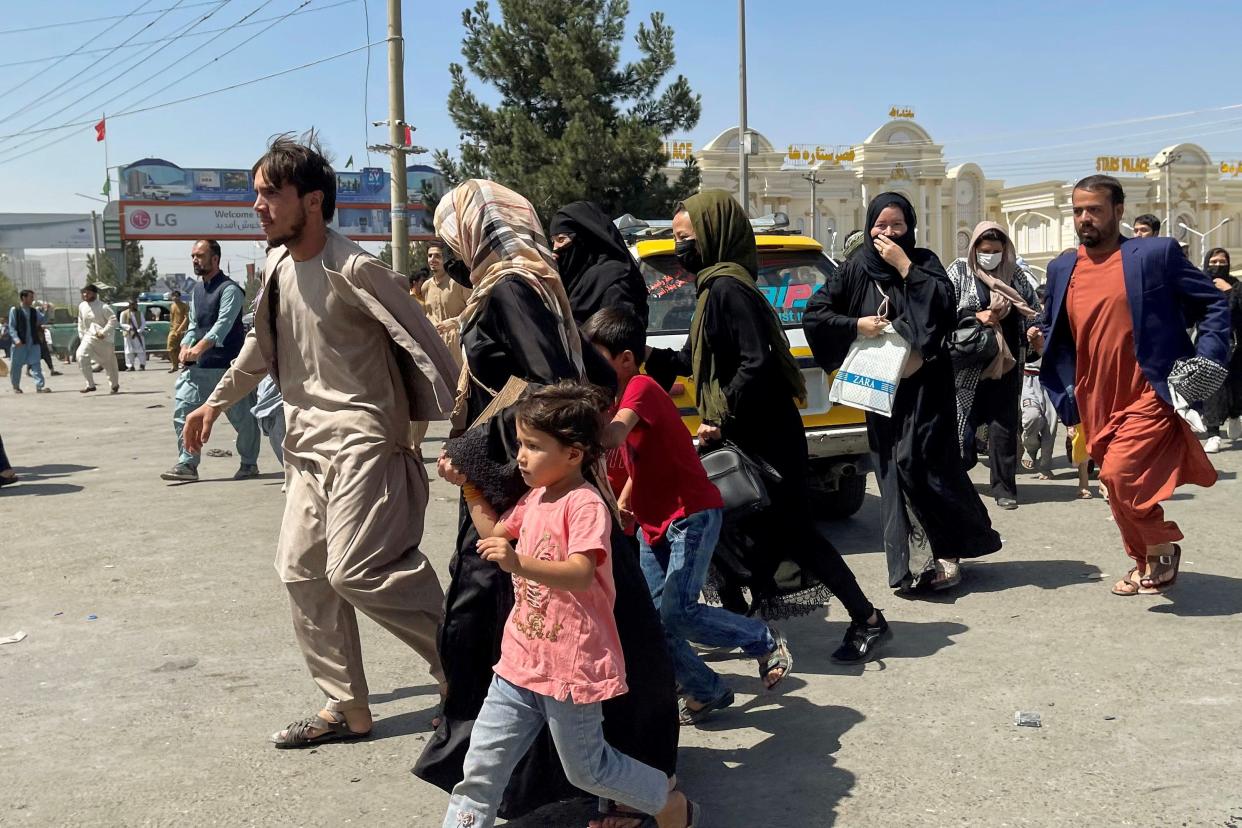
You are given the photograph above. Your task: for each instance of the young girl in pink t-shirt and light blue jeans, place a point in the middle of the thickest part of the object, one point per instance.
(561, 654)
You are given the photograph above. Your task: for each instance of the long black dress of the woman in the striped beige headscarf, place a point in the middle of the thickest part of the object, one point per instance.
(514, 338)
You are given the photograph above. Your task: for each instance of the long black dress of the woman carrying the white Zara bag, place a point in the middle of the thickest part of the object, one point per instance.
(915, 451)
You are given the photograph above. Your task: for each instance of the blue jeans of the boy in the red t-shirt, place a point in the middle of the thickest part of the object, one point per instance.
(676, 570)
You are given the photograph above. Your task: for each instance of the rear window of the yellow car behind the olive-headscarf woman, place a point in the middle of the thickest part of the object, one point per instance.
(787, 279)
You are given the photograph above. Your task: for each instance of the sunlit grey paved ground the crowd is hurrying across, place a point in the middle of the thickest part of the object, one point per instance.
(160, 657)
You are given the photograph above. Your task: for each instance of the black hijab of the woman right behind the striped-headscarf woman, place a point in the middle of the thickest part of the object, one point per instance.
(597, 268)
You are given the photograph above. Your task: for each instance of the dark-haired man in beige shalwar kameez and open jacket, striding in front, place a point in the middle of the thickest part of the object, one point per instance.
(357, 362)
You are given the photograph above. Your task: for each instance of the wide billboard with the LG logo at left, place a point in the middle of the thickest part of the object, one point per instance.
(161, 200)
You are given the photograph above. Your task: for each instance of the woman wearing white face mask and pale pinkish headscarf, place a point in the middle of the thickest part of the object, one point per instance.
(992, 287)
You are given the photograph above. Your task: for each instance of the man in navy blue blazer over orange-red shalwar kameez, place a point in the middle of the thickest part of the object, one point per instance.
(1118, 315)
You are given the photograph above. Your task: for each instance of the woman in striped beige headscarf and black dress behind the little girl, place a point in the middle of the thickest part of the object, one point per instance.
(520, 325)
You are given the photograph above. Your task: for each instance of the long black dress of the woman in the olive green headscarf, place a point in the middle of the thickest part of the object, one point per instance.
(764, 423)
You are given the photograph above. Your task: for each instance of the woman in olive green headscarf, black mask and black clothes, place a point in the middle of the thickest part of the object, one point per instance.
(748, 387)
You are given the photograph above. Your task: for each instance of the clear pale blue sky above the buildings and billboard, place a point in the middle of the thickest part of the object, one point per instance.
(1030, 91)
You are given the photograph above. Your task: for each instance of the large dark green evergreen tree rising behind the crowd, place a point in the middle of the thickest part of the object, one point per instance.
(572, 122)
